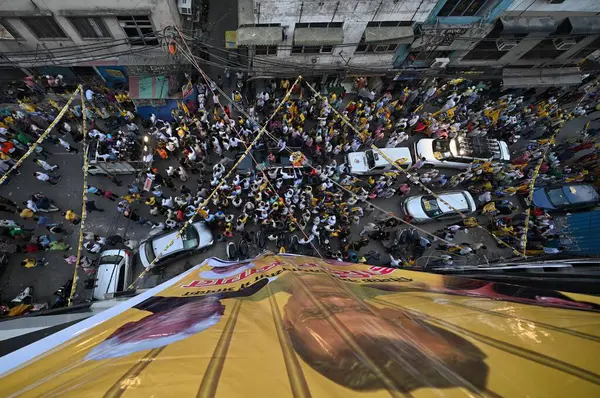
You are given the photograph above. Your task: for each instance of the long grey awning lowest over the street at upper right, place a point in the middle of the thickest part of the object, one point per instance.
(540, 77)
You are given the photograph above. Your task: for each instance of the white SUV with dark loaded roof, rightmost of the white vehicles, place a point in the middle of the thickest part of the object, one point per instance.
(459, 152)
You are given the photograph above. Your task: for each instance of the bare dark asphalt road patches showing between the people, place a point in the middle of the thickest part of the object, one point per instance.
(68, 192)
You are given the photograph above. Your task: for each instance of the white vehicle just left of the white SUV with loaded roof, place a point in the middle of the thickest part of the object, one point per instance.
(371, 162)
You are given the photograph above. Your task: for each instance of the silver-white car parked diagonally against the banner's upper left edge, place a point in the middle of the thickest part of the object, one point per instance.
(196, 237)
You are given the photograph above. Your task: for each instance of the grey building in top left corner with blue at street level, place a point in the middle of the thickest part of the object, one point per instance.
(119, 41)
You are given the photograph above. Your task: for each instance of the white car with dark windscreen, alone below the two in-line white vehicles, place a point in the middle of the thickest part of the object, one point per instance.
(426, 208)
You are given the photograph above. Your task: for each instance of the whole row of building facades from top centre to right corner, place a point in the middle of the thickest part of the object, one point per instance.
(390, 36)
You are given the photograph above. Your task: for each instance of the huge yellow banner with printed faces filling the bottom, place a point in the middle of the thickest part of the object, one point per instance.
(283, 325)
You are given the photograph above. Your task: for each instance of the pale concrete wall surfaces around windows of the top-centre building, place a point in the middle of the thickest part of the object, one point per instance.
(354, 13)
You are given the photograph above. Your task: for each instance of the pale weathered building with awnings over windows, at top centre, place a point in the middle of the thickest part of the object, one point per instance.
(318, 35)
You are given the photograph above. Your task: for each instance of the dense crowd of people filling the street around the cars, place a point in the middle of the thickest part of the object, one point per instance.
(298, 191)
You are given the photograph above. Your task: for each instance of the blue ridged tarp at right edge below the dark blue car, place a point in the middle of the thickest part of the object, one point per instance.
(580, 233)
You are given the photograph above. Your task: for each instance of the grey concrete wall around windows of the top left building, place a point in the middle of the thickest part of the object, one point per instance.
(162, 13)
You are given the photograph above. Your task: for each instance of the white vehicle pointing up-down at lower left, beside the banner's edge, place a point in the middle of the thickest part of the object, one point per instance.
(114, 273)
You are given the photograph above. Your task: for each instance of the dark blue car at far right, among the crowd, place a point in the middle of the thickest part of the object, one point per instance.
(566, 198)
